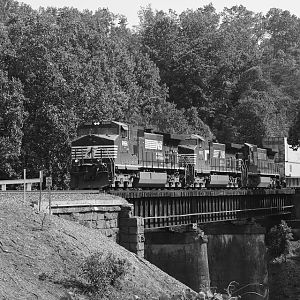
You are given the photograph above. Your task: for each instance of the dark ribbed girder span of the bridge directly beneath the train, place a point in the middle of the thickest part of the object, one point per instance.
(167, 208)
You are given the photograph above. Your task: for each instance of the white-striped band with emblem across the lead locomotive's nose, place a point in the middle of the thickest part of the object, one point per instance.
(94, 152)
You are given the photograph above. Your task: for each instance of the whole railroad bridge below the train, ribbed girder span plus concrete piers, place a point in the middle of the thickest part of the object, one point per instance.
(220, 246)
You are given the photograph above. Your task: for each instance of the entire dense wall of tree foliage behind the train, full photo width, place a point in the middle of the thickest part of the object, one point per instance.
(233, 75)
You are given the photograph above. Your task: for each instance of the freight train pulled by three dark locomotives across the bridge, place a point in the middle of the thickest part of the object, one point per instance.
(112, 154)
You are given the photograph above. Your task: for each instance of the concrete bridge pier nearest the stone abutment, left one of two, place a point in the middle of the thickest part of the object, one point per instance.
(181, 253)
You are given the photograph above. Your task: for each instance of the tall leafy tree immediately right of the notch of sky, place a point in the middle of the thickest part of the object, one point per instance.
(181, 48)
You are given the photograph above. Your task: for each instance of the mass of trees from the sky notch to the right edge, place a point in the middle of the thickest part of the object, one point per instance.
(239, 69)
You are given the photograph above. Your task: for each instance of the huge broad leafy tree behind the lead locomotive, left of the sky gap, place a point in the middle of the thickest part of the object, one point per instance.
(74, 67)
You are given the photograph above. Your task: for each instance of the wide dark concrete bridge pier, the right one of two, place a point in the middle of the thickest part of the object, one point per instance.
(237, 252)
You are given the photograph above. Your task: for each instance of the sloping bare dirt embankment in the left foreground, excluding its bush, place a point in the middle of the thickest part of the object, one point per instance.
(40, 258)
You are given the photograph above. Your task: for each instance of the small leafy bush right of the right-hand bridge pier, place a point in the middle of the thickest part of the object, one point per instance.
(278, 240)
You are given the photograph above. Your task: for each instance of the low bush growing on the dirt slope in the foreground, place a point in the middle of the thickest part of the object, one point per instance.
(102, 271)
